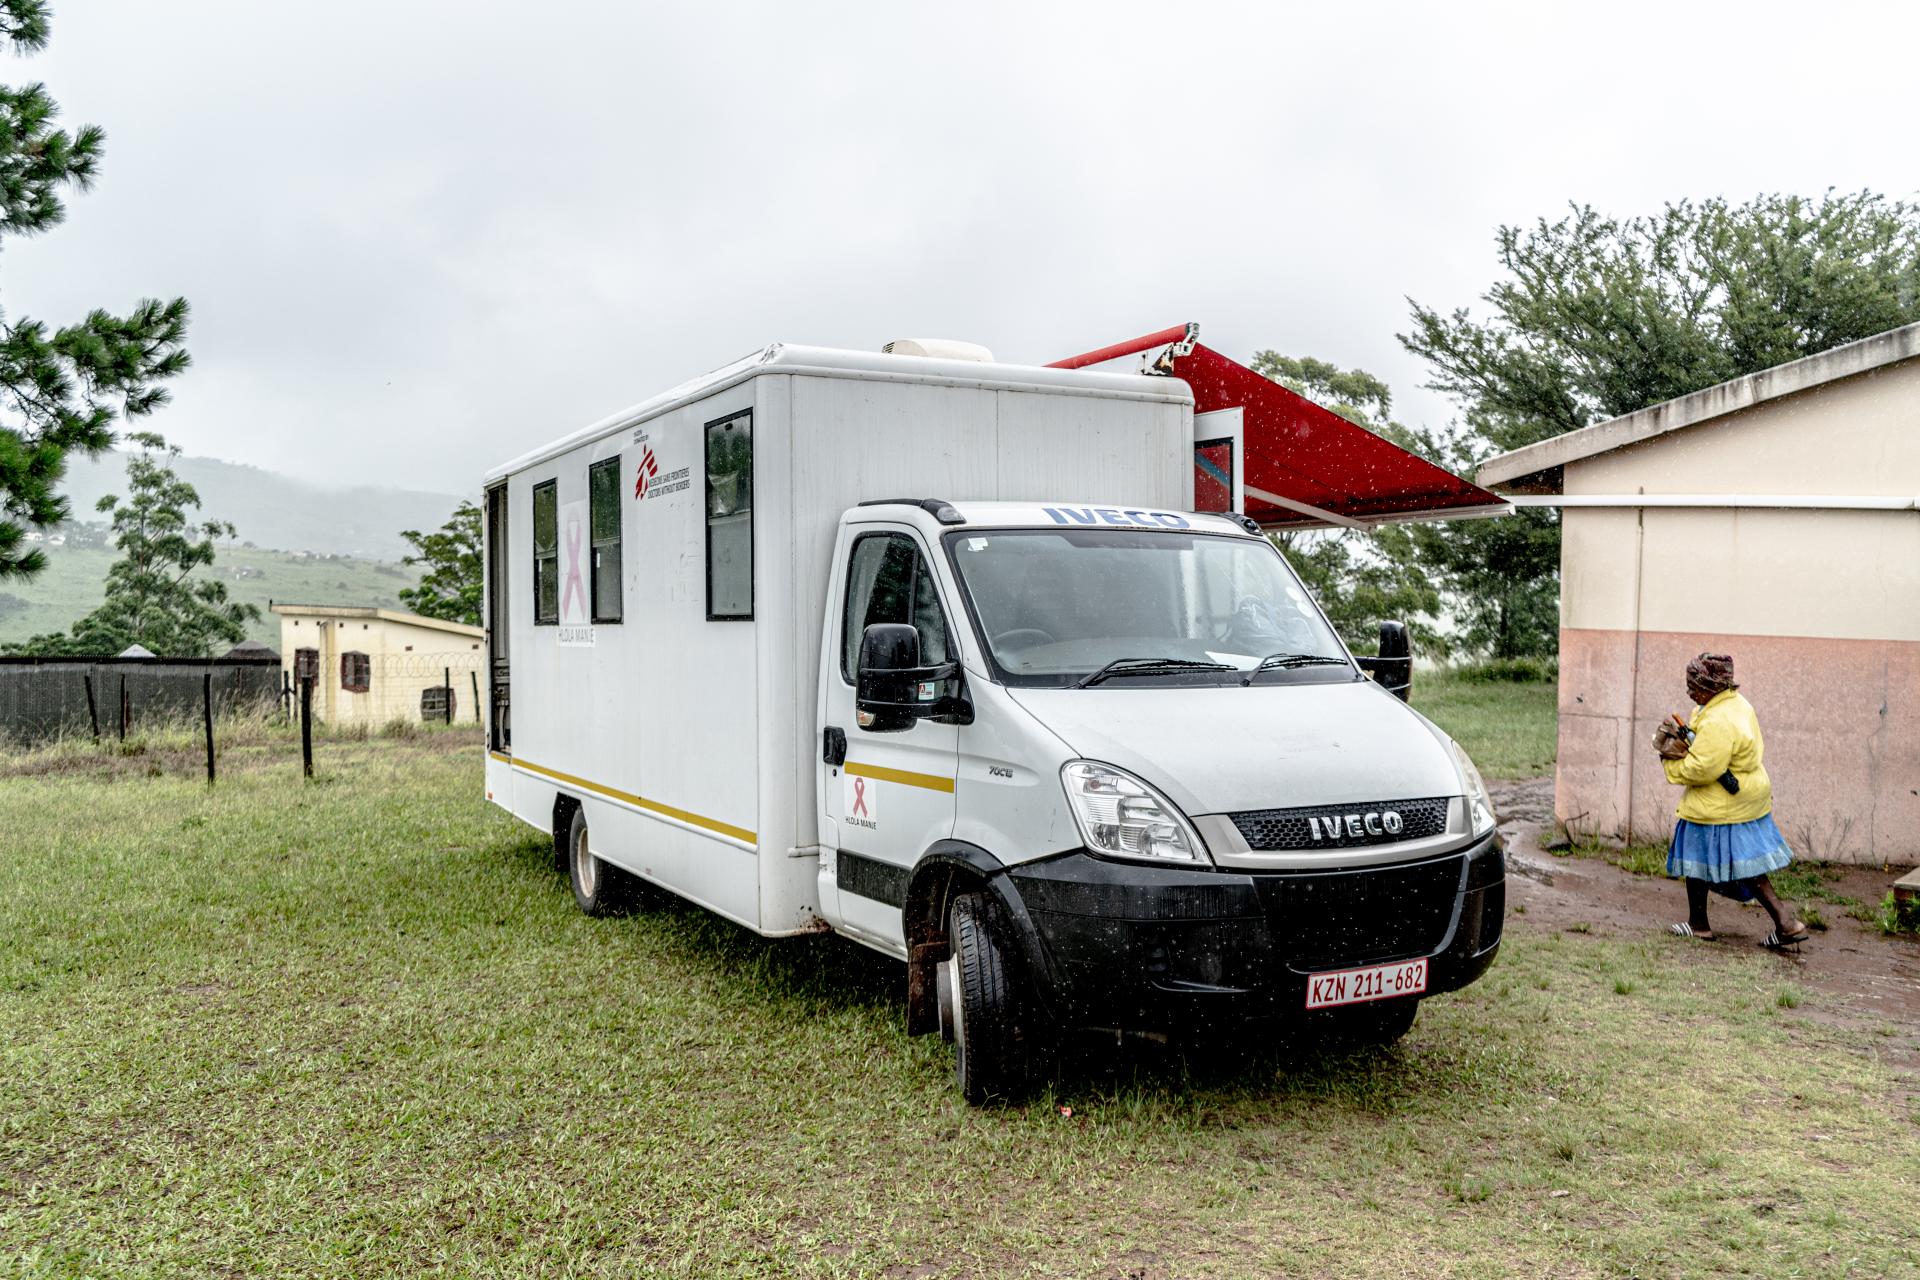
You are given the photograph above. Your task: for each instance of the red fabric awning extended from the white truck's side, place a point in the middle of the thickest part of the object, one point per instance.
(1305, 465)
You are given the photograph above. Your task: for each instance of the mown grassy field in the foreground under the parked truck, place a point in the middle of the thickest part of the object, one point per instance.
(358, 1030)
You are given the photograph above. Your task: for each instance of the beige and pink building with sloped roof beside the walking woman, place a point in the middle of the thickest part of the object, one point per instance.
(1777, 519)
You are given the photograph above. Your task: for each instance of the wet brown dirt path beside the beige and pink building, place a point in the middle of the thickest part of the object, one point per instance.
(1852, 970)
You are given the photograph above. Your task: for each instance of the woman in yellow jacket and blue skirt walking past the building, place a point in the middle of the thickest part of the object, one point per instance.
(1725, 840)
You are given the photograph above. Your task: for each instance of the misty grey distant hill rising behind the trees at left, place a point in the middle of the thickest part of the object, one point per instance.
(279, 511)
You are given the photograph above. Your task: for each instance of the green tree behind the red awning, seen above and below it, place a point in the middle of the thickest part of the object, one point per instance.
(1360, 579)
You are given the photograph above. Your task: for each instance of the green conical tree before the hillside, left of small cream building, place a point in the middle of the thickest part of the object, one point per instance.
(153, 594)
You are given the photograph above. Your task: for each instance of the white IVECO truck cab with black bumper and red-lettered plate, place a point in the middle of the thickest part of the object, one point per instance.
(1113, 769)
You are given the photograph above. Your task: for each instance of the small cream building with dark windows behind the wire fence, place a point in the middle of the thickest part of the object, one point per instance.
(379, 665)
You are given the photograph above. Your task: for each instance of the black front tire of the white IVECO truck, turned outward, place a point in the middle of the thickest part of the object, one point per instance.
(980, 1007)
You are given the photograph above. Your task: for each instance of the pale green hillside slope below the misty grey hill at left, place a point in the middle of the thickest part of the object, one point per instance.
(74, 586)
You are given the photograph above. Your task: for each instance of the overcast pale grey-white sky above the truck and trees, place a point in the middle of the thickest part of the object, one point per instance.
(421, 239)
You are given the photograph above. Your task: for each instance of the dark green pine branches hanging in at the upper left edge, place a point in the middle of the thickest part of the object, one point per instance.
(62, 389)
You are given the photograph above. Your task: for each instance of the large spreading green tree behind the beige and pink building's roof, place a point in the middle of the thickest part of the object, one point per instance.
(1598, 318)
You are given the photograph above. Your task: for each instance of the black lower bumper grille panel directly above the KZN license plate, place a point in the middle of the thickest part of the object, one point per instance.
(1333, 920)
